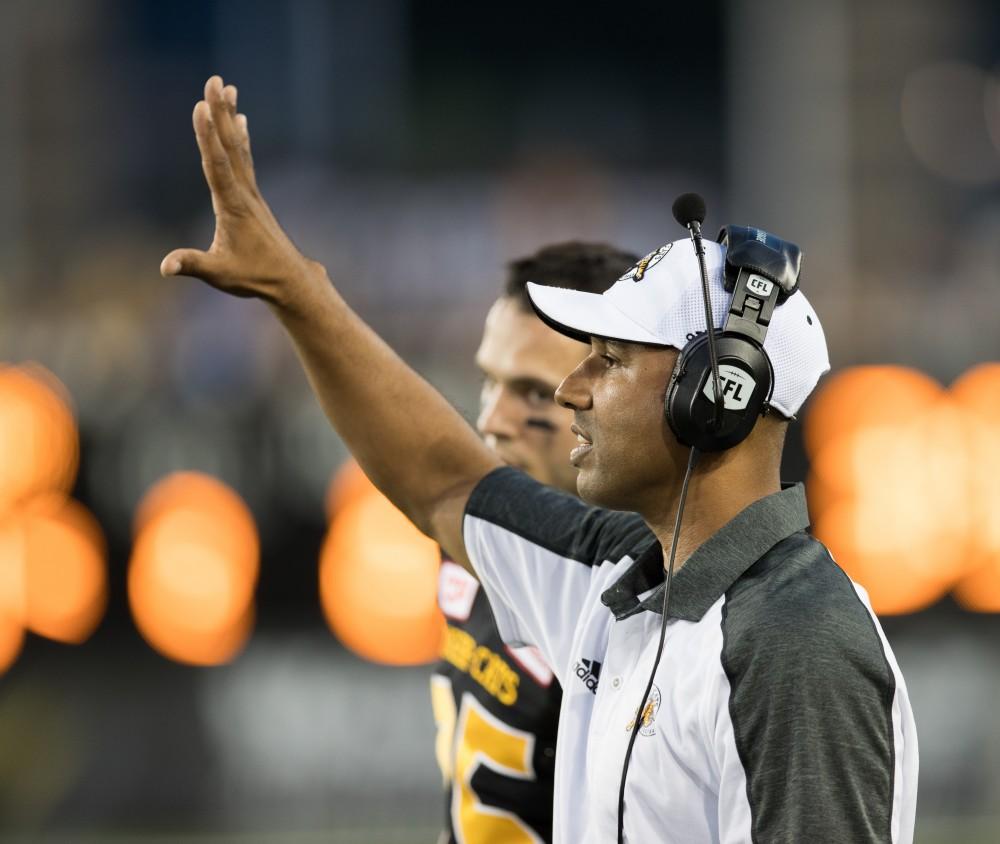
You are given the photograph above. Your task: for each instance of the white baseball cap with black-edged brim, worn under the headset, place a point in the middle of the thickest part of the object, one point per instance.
(660, 302)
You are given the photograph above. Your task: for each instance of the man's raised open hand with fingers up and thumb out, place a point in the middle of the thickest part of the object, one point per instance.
(250, 254)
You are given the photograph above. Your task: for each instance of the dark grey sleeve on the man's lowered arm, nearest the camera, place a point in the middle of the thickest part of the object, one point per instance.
(811, 696)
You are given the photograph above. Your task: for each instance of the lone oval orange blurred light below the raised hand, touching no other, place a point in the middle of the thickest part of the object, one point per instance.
(194, 569)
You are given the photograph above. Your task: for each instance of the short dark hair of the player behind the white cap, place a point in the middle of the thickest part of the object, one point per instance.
(575, 265)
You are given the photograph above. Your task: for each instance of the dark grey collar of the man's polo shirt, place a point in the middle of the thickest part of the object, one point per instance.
(715, 565)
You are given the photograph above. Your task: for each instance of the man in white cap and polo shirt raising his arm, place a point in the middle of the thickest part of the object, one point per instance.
(777, 712)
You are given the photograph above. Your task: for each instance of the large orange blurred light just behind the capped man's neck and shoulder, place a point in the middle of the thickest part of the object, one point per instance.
(888, 492)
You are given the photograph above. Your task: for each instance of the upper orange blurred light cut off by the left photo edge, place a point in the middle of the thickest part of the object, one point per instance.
(39, 444)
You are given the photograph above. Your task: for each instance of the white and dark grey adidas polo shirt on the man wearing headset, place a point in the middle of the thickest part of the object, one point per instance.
(778, 712)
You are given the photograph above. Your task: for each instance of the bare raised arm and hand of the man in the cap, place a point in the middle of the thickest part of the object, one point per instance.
(413, 445)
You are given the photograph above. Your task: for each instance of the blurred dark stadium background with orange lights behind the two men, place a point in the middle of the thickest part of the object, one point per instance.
(189, 650)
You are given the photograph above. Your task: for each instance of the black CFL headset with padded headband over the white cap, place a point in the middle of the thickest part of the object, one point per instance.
(761, 271)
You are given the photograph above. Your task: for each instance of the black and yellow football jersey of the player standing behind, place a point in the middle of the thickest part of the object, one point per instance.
(497, 711)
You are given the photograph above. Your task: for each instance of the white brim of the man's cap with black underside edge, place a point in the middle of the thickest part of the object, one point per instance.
(582, 315)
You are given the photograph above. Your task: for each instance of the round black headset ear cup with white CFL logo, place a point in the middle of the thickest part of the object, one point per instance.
(747, 379)
